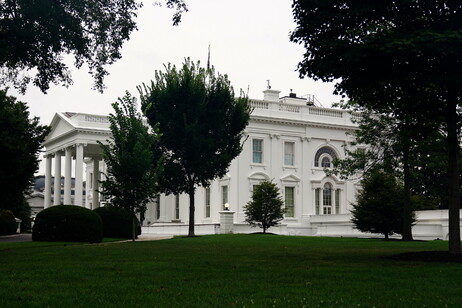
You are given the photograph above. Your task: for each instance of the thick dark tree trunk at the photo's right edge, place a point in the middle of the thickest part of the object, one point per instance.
(453, 175)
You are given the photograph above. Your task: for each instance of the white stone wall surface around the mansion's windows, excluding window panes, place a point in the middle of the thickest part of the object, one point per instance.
(309, 128)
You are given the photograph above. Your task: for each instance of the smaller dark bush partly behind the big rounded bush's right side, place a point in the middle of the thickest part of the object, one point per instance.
(117, 222)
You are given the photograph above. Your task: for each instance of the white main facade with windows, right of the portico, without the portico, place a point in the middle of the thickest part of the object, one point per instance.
(287, 142)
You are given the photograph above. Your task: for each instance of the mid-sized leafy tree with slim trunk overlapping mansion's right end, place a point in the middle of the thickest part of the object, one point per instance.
(390, 142)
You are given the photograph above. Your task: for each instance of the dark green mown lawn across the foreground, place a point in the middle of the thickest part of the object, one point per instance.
(227, 271)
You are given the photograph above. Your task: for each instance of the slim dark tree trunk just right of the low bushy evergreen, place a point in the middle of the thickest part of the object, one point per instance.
(407, 208)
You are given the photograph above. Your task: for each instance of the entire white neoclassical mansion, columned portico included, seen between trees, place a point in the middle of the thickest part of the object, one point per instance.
(289, 140)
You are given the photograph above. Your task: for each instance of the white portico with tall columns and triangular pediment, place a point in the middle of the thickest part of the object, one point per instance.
(74, 137)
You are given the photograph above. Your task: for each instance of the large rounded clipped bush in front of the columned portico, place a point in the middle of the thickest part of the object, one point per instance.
(68, 223)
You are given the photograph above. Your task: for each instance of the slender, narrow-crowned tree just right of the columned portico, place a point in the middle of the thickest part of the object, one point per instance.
(133, 168)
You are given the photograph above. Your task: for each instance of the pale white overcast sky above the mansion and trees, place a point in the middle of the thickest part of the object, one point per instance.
(249, 41)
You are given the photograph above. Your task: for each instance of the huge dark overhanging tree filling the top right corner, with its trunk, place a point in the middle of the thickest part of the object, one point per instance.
(401, 55)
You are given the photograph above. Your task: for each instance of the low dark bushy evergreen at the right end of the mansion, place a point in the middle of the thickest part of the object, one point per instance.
(379, 205)
